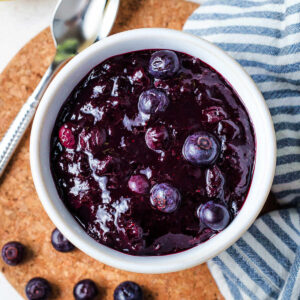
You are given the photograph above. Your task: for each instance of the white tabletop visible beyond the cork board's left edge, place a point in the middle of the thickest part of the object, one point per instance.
(20, 20)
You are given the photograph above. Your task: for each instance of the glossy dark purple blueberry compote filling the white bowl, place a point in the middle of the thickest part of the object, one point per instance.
(153, 152)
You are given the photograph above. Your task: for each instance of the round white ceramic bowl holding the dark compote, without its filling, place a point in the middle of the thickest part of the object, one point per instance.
(133, 40)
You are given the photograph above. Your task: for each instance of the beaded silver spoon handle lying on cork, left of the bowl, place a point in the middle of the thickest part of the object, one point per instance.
(18, 127)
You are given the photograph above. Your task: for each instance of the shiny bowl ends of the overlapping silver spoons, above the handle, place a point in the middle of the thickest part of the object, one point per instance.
(78, 24)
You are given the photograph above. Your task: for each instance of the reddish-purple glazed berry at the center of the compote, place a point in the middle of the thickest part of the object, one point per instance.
(157, 137)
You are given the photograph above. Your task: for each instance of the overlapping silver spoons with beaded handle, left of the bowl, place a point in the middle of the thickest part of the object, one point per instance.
(76, 25)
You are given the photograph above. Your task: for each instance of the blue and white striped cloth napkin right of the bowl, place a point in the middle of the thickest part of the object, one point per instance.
(264, 37)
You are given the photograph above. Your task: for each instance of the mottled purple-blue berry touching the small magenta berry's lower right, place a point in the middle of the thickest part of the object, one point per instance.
(165, 198)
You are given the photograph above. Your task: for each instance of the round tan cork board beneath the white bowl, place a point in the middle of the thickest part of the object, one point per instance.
(22, 216)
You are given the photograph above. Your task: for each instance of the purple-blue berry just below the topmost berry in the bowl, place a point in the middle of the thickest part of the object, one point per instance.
(153, 101)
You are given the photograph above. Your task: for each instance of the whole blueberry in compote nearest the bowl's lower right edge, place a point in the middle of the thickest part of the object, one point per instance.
(213, 215)
